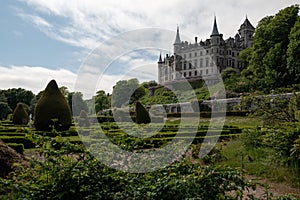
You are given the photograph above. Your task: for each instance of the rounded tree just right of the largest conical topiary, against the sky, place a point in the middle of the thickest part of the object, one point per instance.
(76, 103)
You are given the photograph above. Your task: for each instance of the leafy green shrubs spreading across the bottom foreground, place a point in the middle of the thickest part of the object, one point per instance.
(81, 176)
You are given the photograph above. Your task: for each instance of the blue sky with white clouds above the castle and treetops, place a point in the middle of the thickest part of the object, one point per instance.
(90, 45)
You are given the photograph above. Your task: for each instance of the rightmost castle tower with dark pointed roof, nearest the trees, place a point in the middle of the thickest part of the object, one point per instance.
(246, 32)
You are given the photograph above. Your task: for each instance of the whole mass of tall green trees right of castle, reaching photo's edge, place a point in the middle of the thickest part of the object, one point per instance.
(273, 57)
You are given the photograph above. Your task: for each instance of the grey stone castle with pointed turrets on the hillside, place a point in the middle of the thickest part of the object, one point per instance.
(204, 59)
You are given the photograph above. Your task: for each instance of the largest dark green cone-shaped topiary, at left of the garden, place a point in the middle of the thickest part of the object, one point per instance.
(52, 109)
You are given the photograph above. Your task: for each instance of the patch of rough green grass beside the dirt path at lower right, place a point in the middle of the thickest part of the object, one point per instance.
(259, 162)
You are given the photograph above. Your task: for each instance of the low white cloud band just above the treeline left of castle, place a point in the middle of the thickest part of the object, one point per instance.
(36, 79)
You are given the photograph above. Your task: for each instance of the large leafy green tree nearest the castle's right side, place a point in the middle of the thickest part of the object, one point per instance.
(268, 57)
